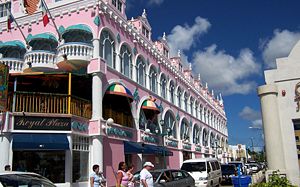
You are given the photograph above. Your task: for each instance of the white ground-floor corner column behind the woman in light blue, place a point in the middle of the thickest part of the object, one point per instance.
(97, 151)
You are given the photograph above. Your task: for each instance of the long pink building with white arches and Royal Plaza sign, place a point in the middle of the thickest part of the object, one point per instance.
(98, 90)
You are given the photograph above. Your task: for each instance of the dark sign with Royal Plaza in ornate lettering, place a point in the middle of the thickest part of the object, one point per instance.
(42, 123)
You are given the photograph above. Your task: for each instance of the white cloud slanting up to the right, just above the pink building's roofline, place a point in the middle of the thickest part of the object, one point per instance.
(184, 37)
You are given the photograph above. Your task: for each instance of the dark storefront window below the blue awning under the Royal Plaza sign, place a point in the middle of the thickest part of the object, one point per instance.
(50, 164)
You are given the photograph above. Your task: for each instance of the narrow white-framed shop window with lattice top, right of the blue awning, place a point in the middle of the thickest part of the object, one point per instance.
(80, 158)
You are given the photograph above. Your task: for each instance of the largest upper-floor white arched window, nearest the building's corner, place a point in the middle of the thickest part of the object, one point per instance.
(107, 48)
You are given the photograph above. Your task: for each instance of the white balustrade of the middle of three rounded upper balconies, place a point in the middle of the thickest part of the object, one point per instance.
(38, 58)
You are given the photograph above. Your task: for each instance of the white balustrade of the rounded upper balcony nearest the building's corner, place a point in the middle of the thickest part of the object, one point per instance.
(75, 51)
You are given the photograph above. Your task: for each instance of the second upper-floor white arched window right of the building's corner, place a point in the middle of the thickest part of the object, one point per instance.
(125, 59)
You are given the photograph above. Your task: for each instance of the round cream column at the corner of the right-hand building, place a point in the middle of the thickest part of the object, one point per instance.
(271, 125)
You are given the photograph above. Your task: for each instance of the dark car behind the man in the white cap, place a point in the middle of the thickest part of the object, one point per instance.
(168, 178)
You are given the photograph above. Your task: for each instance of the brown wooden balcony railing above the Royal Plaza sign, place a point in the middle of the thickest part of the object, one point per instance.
(50, 103)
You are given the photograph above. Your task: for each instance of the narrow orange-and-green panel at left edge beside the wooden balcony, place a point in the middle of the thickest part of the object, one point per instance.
(3, 86)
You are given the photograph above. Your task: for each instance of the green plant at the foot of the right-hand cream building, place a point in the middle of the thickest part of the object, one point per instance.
(275, 181)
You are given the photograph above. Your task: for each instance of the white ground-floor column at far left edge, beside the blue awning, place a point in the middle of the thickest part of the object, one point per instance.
(5, 149)
